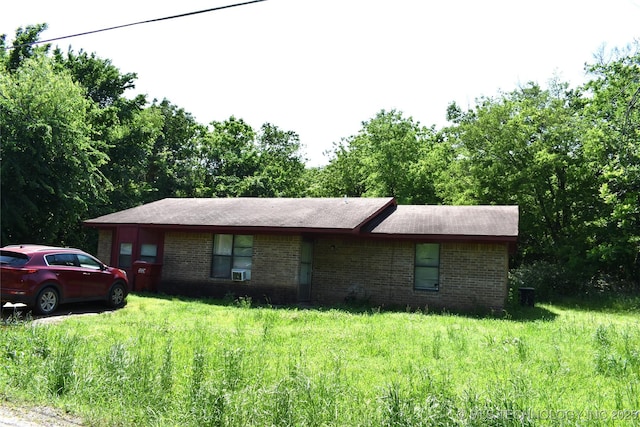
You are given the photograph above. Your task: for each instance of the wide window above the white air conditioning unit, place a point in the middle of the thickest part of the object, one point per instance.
(231, 252)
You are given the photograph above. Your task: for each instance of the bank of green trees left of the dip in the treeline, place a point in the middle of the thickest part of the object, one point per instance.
(73, 146)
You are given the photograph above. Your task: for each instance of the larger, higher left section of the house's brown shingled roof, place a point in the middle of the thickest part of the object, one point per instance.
(282, 213)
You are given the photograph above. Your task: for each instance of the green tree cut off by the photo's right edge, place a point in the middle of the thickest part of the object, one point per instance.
(613, 109)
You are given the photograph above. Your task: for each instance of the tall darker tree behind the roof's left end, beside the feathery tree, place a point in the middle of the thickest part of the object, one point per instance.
(126, 129)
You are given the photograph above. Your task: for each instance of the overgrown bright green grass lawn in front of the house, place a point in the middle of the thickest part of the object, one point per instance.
(168, 361)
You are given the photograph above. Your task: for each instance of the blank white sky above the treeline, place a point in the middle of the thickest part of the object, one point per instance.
(321, 67)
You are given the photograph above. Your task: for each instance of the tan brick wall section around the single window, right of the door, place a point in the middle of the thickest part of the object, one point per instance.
(472, 276)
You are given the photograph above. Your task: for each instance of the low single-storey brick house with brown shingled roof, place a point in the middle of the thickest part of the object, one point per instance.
(318, 250)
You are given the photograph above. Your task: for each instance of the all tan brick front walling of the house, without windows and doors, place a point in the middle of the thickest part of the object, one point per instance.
(381, 272)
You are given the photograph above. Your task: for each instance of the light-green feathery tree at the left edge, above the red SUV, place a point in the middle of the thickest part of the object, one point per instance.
(50, 166)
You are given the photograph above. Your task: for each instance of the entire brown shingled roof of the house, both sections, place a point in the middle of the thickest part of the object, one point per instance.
(377, 217)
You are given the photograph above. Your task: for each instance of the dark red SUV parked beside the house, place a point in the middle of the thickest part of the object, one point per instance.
(43, 277)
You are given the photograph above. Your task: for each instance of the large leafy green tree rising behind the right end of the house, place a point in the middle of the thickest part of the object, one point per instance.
(526, 148)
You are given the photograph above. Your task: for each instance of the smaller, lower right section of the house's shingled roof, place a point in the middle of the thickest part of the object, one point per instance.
(497, 221)
